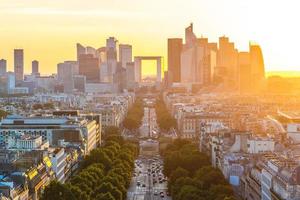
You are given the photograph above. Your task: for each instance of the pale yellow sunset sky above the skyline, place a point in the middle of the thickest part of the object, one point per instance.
(48, 30)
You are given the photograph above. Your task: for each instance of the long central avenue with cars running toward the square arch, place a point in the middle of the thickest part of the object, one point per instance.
(148, 182)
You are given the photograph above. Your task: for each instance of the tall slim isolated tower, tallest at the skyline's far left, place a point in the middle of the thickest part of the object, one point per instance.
(19, 64)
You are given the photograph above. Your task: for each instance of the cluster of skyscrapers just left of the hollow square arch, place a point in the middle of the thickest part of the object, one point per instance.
(105, 68)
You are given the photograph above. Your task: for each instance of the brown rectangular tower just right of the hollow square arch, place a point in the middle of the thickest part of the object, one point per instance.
(174, 59)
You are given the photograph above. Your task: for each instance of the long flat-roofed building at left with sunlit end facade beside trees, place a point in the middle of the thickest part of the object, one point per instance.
(71, 131)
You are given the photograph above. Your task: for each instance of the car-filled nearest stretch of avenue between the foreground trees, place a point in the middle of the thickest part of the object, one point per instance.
(148, 182)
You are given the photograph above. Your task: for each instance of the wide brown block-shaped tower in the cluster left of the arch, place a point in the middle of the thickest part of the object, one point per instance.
(89, 67)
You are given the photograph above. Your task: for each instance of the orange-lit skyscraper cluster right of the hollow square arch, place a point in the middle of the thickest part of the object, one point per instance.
(199, 62)
